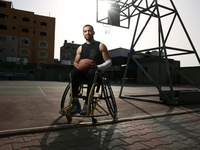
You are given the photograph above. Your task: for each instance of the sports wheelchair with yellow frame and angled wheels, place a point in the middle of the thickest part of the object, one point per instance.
(101, 100)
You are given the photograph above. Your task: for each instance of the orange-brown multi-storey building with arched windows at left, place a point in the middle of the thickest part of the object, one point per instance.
(25, 35)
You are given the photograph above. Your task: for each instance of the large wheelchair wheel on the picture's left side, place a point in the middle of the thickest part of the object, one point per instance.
(66, 103)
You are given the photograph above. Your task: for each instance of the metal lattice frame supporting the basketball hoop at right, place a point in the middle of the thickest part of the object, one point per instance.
(159, 11)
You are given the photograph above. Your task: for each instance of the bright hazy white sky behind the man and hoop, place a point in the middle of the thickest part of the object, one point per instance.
(72, 15)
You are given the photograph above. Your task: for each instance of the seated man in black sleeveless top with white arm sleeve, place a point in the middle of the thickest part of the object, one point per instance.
(100, 59)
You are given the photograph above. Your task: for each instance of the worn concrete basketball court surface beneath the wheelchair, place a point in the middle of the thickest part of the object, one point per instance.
(36, 104)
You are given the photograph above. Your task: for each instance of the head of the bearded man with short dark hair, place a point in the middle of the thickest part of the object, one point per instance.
(88, 32)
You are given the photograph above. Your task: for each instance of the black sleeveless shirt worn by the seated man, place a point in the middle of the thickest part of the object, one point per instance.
(91, 51)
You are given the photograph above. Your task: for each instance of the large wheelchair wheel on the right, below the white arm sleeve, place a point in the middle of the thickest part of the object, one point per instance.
(110, 99)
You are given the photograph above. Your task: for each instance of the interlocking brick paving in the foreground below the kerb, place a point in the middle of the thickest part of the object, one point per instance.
(175, 132)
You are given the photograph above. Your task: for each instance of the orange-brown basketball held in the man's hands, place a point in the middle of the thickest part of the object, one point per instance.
(86, 65)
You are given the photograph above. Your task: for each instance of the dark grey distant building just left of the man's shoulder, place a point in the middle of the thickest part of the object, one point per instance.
(68, 53)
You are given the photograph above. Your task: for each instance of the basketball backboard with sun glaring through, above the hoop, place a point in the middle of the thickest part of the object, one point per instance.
(113, 12)
